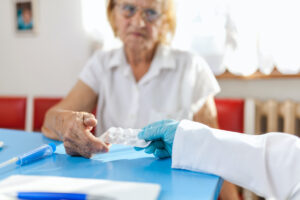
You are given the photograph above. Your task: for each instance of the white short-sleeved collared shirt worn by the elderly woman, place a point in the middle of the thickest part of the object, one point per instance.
(175, 87)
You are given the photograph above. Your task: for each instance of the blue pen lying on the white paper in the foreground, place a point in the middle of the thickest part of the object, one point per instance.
(58, 196)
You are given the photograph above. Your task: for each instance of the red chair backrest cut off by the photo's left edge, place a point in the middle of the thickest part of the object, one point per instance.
(13, 112)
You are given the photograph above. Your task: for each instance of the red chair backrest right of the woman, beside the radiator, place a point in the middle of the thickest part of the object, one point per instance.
(230, 114)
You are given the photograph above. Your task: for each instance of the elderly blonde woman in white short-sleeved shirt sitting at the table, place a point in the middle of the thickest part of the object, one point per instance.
(142, 82)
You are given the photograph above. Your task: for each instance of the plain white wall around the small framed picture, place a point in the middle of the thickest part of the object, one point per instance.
(48, 62)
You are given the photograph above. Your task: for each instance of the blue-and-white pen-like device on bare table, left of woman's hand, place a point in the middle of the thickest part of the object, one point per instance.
(38, 153)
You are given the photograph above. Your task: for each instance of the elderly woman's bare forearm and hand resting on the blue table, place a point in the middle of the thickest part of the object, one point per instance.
(63, 122)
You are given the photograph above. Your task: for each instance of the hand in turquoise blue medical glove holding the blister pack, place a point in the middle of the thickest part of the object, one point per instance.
(161, 134)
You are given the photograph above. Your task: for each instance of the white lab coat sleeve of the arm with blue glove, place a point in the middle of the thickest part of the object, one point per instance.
(268, 164)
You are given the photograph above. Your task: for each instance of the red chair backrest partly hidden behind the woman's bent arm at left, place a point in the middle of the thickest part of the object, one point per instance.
(40, 107)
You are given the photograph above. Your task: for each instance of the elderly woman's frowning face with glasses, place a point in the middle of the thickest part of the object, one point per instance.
(139, 22)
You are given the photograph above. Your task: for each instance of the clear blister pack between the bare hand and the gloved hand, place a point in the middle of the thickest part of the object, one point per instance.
(123, 136)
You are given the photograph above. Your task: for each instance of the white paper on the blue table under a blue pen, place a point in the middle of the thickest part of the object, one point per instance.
(113, 189)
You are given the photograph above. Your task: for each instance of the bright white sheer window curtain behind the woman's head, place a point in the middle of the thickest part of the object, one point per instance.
(239, 36)
